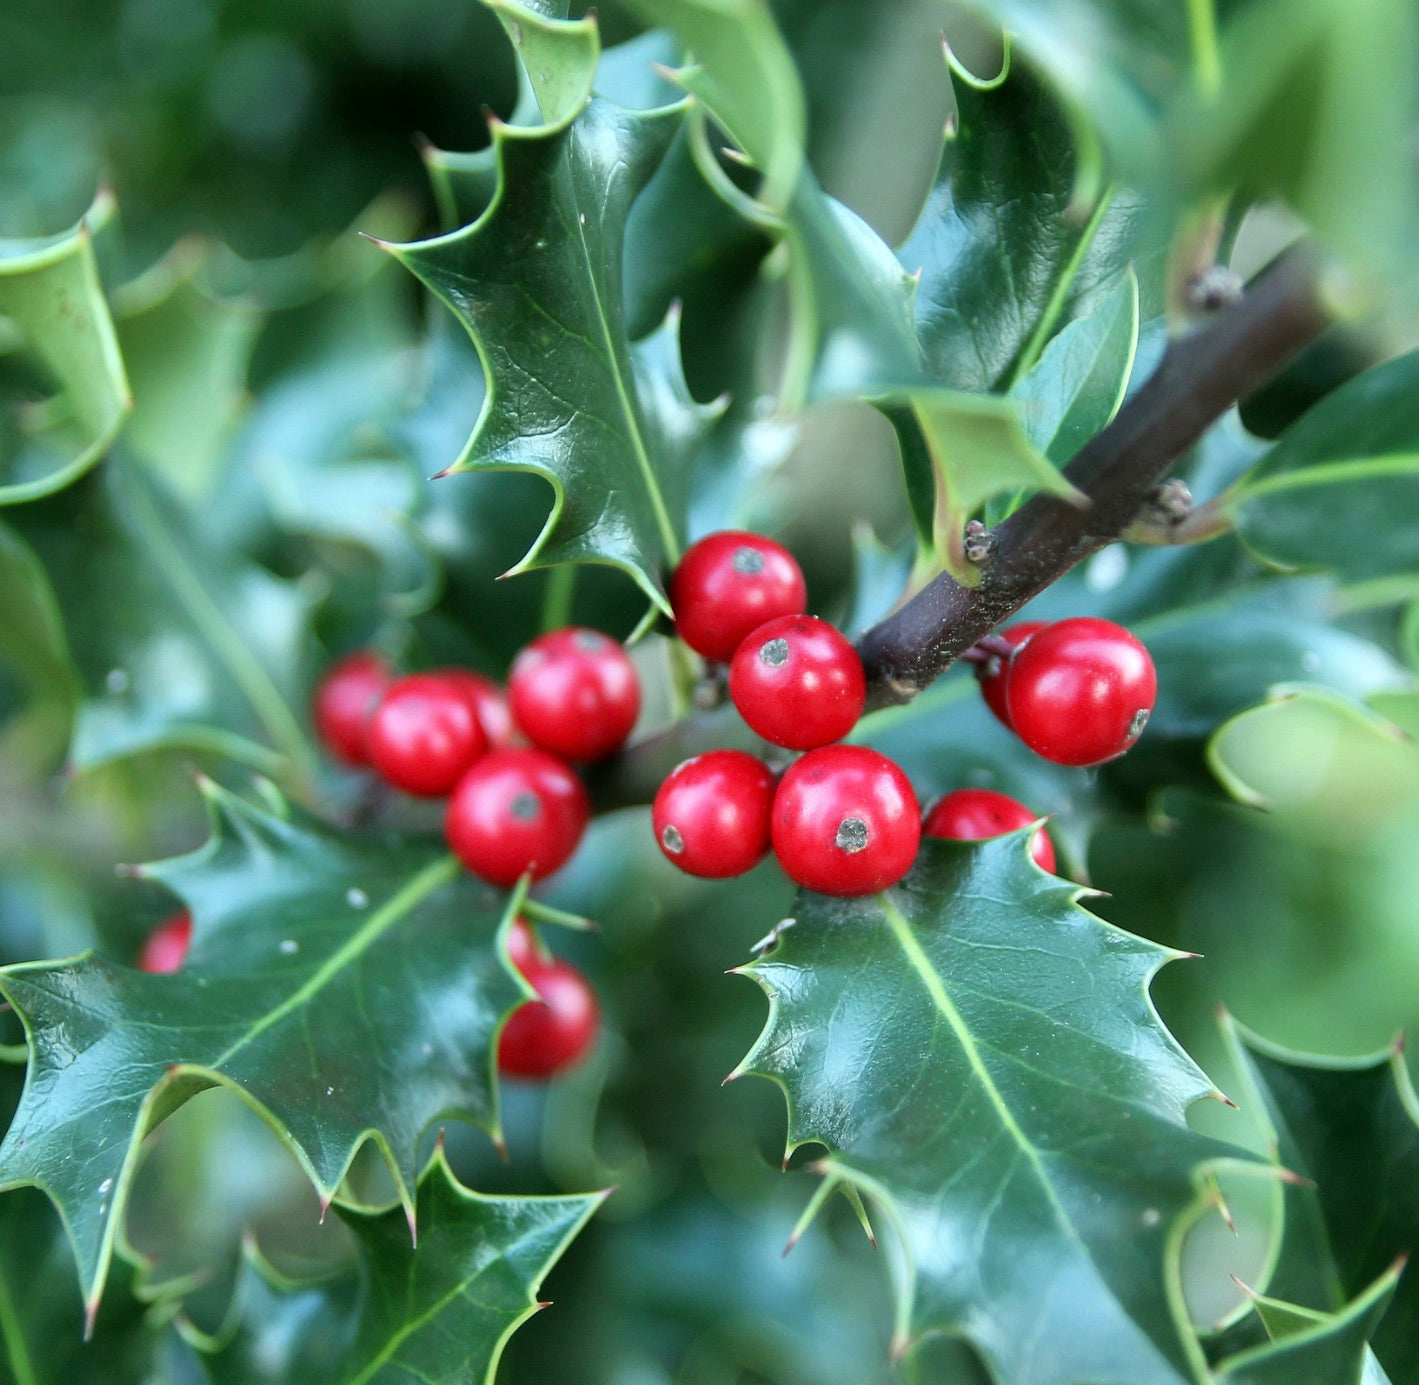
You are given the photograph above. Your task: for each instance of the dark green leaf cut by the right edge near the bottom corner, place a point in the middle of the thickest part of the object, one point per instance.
(1352, 1129)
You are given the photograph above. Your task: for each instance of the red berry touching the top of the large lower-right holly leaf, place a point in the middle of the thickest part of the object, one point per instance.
(846, 821)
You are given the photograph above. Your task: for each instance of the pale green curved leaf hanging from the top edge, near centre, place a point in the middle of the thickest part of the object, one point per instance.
(744, 73)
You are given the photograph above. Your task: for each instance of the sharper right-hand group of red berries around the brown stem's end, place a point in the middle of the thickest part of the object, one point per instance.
(844, 820)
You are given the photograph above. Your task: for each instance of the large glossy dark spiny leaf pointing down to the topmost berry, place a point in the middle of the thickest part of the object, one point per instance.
(568, 399)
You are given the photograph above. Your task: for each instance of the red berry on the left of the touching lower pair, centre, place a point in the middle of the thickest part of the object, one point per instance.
(712, 815)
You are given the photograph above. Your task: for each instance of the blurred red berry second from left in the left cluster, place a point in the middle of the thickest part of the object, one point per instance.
(425, 734)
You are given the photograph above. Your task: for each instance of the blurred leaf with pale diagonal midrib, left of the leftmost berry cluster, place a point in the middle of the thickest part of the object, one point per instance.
(175, 646)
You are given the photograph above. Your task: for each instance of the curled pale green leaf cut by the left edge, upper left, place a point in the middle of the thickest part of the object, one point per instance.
(62, 377)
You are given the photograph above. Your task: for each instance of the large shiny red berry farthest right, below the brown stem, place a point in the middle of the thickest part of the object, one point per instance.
(1081, 693)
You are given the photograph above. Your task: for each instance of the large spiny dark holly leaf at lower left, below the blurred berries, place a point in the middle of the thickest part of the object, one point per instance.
(310, 949)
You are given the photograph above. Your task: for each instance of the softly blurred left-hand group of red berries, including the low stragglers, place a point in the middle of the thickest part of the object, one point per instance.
(514, 808)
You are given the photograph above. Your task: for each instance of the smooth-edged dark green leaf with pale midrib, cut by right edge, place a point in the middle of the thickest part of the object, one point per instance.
(1336, 490)
